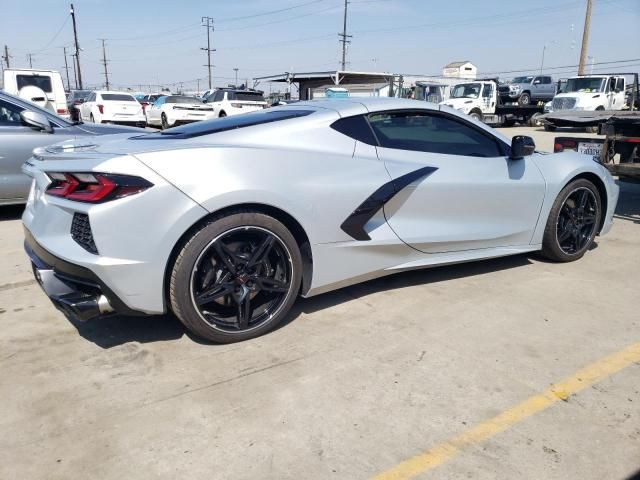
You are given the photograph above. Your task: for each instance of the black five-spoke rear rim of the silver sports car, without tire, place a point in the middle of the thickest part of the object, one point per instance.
(242, 279)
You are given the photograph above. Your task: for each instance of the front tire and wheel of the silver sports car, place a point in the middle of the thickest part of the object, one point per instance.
(569, 216)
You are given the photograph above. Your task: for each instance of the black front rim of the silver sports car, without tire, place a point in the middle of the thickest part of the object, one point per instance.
(576, 224)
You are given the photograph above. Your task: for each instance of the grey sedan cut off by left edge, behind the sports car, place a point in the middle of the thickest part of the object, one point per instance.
(25, 126)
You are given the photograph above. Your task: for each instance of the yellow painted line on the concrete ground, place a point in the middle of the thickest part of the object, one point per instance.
(448, 449)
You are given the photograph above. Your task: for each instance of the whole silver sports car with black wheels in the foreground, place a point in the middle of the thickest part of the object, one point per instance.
(225, 222)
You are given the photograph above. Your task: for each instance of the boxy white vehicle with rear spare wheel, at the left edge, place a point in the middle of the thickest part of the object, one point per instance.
(42, 87)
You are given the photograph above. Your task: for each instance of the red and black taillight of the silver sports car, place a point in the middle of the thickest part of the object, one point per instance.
(94, 187)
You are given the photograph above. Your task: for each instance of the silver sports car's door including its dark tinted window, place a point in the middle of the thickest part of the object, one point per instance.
(467, 194)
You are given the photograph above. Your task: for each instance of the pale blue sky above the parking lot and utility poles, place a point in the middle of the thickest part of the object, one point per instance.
(158, 42)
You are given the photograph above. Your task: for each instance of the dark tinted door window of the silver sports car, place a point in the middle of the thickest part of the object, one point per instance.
(433, 133)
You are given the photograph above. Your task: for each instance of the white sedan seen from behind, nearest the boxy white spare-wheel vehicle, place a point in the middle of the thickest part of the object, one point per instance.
(112, 107)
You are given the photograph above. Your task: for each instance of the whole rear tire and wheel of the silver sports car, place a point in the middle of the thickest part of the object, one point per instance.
(232, 277)
